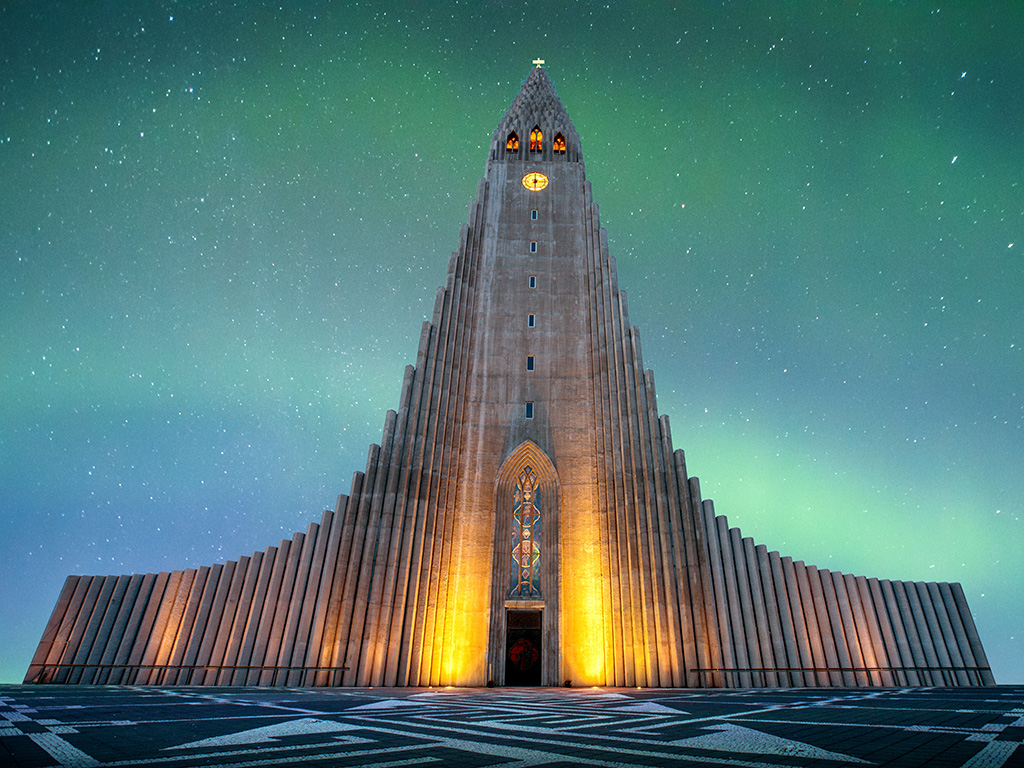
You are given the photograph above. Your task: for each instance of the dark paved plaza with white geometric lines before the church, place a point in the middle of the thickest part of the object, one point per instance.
(81, 728)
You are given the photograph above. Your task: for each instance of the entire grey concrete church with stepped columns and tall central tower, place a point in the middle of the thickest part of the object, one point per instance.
(525, 520)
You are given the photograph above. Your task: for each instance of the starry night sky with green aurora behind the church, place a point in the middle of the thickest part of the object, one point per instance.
(223, 225)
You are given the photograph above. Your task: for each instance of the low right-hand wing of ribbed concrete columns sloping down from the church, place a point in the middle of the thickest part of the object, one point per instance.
(787, 624)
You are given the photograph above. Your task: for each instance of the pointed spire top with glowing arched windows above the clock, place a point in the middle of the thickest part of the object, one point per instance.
(536, 126)
